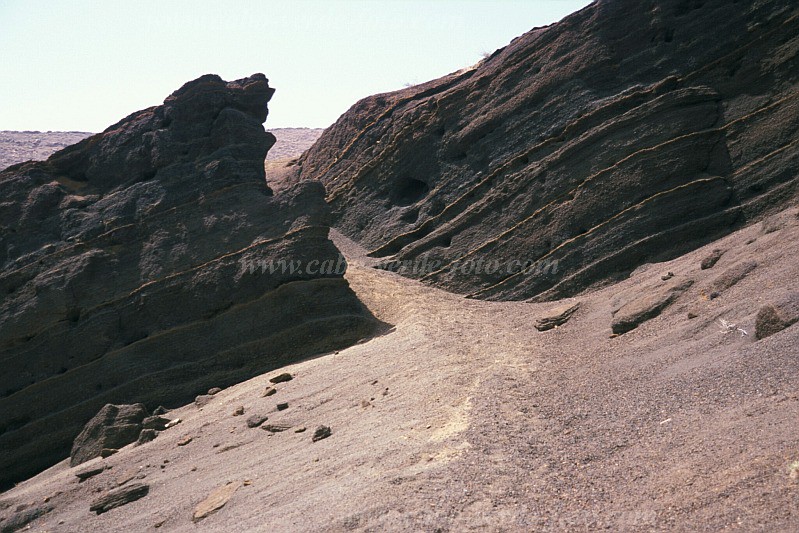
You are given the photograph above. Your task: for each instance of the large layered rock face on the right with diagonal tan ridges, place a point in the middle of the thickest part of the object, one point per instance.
(630, 132)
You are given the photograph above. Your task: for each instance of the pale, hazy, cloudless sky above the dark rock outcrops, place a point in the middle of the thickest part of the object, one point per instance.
(79, 65)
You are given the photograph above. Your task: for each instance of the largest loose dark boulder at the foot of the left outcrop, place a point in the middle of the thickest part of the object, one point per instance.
(114, 427)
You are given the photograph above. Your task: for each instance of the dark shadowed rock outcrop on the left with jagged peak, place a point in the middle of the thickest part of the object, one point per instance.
(123, 274)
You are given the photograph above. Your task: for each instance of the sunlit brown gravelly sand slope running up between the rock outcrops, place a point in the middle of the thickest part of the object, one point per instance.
(464, 417)
